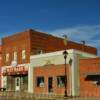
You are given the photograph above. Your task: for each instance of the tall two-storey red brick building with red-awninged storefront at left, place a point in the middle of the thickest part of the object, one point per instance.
(16, 52)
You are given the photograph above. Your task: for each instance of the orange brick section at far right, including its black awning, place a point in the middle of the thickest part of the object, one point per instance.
(89, 72)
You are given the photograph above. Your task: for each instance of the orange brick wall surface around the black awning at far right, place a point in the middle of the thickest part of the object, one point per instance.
(87, 88)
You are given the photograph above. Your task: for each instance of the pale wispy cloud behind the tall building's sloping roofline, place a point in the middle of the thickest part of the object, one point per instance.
(90, 34)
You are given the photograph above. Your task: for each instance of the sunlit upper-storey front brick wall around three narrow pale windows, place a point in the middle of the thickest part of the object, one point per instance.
(16, 43)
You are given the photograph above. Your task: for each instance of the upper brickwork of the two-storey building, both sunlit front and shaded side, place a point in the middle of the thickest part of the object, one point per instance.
(33, 41)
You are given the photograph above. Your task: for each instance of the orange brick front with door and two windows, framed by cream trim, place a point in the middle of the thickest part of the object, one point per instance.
(50, 79)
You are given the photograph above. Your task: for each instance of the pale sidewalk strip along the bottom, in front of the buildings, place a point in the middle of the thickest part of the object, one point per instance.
(27, 96)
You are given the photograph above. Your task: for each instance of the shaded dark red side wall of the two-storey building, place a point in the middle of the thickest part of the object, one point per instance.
(50, 43)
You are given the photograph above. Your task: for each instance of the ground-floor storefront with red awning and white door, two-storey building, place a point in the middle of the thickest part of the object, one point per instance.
(15, 78)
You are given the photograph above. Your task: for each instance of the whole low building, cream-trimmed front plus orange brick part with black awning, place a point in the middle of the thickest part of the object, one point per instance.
(83, 74)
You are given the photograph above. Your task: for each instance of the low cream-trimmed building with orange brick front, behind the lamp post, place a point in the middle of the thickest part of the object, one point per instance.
(48, 71)
